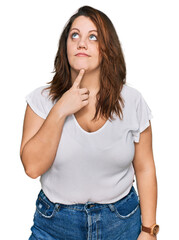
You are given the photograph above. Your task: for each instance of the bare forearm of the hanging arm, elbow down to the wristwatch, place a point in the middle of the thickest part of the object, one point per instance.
(147, 189)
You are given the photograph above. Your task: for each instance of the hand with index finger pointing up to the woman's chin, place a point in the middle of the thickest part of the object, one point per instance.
(75, 98)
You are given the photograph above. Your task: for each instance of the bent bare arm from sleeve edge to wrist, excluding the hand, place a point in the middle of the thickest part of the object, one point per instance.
(38, 150)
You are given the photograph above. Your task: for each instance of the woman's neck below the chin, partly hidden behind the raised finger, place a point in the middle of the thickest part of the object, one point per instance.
(90, 80)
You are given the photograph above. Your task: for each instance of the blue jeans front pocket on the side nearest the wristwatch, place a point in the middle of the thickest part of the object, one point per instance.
(127, 206)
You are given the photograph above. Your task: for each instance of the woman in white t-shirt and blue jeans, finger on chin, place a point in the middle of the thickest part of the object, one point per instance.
(86, 135)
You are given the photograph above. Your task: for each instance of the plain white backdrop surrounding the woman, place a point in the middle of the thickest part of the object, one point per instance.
(30, 31)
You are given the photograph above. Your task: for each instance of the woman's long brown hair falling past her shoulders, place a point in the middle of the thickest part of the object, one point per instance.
(112, 68)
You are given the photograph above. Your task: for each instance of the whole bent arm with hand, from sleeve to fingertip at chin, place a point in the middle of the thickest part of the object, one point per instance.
(41, 137)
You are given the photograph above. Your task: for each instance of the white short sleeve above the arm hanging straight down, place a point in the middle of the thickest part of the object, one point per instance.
(143, 115)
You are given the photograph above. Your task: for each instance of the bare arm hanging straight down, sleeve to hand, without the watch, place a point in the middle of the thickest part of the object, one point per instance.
(145, 172)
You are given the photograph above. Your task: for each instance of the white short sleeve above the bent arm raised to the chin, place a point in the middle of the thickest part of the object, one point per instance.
(37, 101)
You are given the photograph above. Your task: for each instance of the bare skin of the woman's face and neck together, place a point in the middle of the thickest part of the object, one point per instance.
(82, 38)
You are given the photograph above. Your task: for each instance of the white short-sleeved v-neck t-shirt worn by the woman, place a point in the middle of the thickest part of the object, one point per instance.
(96, 166)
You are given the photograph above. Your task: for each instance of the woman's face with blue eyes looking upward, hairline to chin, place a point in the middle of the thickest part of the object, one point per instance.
(82, 45)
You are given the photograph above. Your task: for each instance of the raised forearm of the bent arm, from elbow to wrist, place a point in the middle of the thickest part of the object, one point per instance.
(39, 152)
